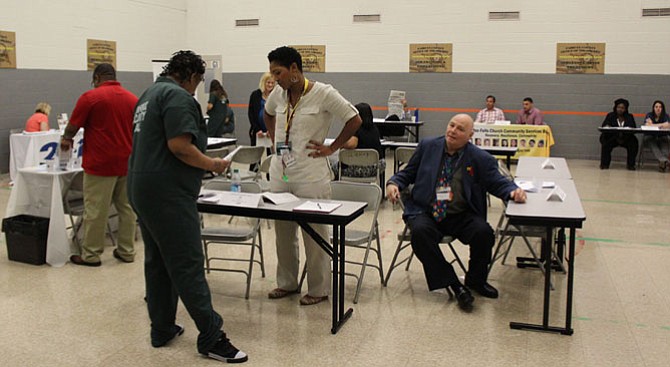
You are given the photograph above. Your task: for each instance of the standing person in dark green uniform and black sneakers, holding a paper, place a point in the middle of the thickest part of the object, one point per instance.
(164, 177)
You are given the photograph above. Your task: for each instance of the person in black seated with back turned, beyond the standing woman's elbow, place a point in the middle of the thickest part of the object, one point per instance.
(367, 137)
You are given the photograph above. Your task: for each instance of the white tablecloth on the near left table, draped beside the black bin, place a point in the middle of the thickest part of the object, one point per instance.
(39, 192)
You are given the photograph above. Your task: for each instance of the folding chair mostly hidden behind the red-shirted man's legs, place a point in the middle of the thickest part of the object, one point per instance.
(73, 206)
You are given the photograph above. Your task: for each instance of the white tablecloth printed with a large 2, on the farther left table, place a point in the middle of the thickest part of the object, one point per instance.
(31, 149)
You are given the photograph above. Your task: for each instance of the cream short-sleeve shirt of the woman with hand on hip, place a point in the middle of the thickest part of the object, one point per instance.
(313, 116)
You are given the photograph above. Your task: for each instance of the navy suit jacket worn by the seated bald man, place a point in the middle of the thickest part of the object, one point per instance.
(480, 175)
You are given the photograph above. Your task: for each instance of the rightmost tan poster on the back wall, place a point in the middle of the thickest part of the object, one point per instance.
(580, 58)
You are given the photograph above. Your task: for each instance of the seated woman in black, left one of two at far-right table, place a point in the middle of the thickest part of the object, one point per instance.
(619, 117)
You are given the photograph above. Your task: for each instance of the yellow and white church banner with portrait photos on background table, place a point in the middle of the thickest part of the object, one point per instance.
(530, 140)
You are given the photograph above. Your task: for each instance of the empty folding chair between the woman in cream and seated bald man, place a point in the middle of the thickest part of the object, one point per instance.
(369, 228)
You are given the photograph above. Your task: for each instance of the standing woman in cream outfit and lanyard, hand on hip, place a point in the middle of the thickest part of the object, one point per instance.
(298, 116)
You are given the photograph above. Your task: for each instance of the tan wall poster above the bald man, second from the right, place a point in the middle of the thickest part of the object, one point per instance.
(430, 57)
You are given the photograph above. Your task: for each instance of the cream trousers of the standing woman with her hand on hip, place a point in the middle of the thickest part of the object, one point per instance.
(317, 260)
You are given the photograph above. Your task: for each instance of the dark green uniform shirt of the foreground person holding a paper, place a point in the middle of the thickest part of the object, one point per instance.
(163, 112)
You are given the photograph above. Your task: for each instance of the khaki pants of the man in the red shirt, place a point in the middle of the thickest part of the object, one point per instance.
(99, 193)
